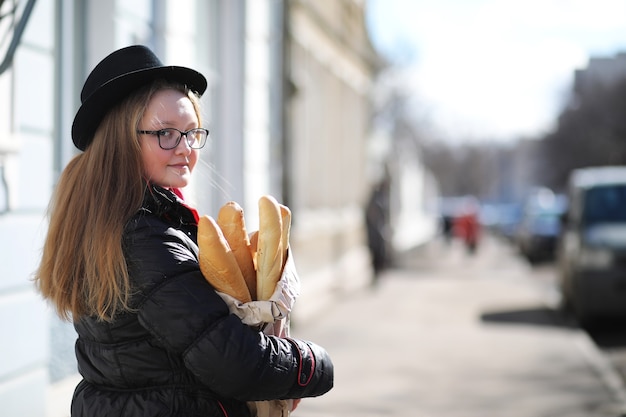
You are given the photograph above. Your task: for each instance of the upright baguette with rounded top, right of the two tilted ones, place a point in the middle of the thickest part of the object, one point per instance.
(269, 247)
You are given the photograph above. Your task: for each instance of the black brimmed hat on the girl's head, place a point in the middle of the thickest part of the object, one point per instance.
(117, 76)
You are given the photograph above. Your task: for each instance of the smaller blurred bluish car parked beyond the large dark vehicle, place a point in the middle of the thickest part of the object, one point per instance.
(539, 229)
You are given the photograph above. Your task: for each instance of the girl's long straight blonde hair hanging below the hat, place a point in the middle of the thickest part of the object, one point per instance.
(83, 270)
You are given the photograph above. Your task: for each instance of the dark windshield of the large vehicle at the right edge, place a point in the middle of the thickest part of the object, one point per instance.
(605, 204)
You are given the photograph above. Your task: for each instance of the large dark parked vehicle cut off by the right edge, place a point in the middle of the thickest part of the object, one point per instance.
(592, 255)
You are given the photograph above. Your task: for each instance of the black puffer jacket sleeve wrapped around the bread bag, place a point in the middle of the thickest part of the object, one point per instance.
(184, 313)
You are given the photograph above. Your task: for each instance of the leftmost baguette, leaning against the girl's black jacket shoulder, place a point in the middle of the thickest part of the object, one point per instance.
(218, 263)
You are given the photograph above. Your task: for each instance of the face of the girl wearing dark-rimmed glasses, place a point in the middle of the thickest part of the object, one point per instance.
(169, 168)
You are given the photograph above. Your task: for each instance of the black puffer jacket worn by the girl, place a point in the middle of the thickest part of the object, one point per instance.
(180, 352)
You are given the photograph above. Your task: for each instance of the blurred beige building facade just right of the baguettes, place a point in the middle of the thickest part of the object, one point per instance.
(331, 69)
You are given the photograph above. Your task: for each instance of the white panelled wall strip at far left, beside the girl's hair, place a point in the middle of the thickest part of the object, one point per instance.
(26, 99)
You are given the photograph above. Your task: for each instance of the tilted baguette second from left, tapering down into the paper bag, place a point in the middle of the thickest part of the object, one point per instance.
(232, 222)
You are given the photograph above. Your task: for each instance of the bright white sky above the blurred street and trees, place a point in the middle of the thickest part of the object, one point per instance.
(494, 69)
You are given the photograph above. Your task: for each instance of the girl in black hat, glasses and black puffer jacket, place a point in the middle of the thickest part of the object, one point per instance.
(121, 262)
